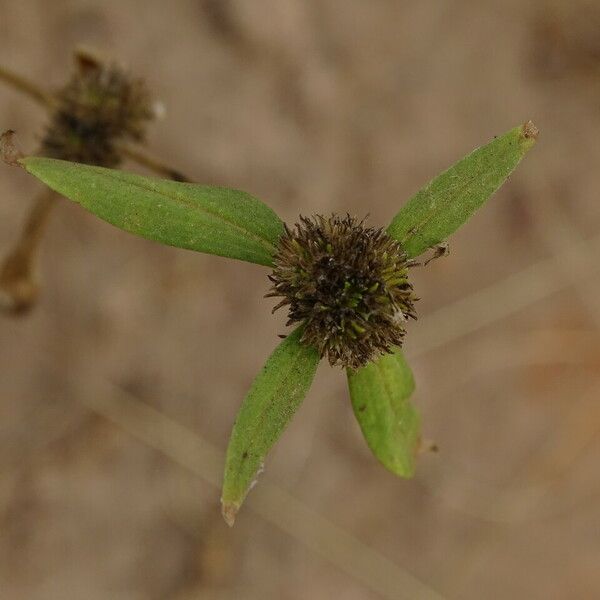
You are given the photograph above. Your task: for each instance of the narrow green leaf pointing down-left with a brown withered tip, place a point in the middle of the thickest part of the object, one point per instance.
(275, 395)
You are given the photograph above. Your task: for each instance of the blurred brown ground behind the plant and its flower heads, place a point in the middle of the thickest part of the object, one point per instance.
(117, 394)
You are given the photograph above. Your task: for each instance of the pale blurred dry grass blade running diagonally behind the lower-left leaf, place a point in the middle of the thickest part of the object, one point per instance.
(274, 505)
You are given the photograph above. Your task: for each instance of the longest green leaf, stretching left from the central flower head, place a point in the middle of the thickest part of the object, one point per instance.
(208, 219)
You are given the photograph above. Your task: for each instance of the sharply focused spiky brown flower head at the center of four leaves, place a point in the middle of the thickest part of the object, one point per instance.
(348, 285)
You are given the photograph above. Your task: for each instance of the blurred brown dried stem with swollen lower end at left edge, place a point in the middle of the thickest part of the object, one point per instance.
(18, 284)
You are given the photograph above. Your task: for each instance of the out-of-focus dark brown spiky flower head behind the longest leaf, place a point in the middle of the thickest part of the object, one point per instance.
(100, 105)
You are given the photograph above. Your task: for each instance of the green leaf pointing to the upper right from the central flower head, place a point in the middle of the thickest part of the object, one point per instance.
(449, 200)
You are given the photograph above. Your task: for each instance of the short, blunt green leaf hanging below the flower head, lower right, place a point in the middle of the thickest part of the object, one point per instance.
(380, 395)
